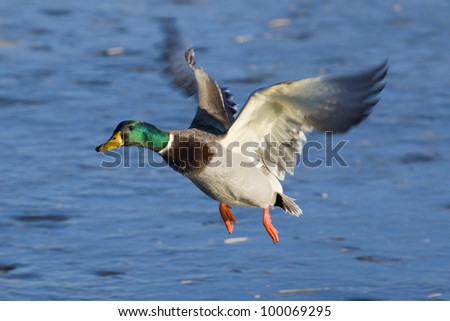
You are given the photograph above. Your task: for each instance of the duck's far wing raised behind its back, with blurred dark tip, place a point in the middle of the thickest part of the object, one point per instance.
(215, 106)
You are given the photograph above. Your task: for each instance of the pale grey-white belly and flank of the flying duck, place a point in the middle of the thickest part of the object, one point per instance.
(241, 186)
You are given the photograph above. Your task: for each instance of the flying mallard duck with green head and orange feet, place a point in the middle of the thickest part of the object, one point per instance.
(242, 161)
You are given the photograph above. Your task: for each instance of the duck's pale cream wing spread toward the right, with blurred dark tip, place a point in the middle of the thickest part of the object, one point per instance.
(275, 118)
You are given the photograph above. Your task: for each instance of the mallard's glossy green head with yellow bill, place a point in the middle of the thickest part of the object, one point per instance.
(136, 133)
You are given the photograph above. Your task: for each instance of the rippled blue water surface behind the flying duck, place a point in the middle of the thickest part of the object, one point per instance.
(72, 230)
